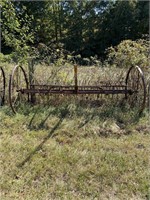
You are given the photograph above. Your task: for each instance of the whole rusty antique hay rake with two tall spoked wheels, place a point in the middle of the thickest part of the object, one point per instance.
(133, 89)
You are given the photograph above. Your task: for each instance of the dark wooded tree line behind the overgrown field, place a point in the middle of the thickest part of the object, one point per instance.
(85, 28)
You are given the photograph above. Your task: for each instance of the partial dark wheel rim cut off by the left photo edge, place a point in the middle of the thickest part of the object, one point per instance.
(2, 86)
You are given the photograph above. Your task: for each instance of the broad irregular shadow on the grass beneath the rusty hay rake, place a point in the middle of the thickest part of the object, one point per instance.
(118, 113)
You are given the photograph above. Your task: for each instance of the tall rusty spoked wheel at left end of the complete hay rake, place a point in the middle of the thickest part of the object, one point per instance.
(18, 81)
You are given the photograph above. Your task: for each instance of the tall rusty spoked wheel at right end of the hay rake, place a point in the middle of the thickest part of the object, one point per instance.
(135, 83)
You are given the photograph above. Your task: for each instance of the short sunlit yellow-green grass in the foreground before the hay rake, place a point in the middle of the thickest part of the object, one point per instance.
(73, 151)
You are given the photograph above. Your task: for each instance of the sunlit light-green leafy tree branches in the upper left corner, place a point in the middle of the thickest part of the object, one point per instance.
(16, 31)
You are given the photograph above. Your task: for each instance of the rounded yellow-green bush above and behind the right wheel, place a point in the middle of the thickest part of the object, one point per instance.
(129, 53)
